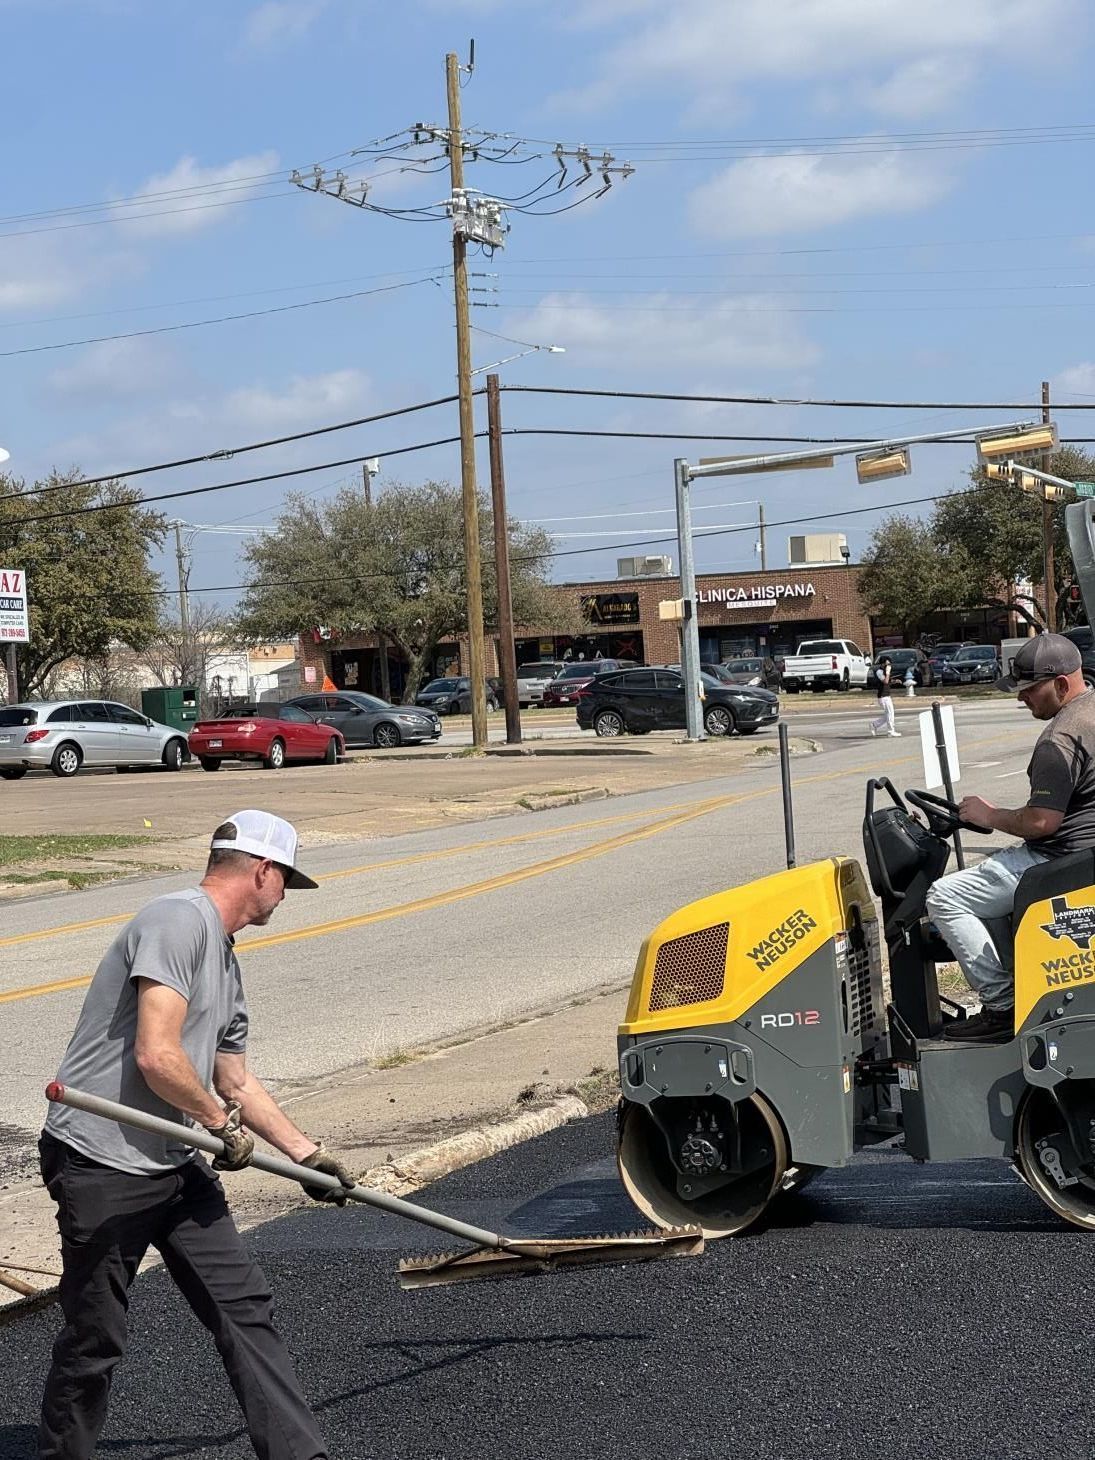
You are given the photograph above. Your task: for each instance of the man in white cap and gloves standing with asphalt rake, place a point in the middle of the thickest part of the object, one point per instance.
(163, 1027)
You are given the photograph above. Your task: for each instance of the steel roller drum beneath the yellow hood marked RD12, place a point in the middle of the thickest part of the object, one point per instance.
(656, 1186)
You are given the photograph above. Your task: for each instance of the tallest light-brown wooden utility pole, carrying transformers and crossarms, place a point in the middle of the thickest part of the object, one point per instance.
(468, 445)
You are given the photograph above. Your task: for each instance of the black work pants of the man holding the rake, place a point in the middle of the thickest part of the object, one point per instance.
(109, 1221)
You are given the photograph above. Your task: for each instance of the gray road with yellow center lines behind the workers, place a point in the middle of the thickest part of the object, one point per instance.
(424, 938)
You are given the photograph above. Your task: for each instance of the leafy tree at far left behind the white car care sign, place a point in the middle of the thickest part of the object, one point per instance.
(88, 575)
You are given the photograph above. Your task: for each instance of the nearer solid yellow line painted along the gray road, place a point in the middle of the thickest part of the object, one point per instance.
(493, 884)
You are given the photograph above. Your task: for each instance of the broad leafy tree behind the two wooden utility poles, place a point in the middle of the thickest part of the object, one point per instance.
(396, 569)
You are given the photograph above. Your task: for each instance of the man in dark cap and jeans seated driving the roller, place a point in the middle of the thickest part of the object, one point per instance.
(1058, 820)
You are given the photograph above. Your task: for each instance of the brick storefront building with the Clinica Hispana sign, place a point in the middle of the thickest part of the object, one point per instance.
(739, 614)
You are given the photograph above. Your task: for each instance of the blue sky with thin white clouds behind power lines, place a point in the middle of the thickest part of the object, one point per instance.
(824, 205)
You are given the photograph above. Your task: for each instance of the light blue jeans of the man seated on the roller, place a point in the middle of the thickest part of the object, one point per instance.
(972, 910)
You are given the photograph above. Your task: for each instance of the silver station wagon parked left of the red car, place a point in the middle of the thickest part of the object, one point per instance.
(65, 735)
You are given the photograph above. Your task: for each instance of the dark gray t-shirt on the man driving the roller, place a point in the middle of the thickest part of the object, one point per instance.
(1062, 776)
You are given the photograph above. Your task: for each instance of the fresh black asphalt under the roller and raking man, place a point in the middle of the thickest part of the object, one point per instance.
(891, 1310)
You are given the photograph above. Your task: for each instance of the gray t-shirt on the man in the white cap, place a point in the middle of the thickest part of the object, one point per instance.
(177, 941)
